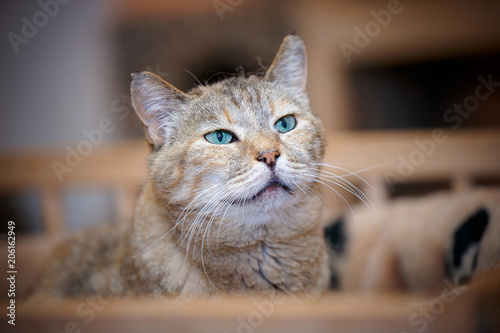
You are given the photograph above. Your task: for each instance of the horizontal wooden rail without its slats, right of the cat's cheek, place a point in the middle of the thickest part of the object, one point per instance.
(471, 153)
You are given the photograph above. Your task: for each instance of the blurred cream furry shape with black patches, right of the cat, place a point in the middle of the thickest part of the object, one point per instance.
(425, 244)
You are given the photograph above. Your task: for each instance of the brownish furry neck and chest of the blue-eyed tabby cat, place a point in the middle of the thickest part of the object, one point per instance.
(285, 252)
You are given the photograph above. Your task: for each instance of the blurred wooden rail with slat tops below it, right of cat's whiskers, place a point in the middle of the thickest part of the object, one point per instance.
(460, 158)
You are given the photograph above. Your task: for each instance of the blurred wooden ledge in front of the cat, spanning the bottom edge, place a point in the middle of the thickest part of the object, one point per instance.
(472, 310)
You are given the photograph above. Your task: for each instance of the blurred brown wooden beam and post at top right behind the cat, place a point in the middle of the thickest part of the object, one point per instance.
(420, 31)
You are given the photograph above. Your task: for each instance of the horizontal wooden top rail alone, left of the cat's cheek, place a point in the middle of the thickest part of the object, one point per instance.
(113, 164)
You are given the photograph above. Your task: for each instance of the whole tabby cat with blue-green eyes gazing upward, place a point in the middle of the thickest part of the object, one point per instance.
(227, 207)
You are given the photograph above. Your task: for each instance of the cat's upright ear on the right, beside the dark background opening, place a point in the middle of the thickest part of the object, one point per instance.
(290, 64)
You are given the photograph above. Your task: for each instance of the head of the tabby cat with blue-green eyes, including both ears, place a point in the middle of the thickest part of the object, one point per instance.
(245, 145)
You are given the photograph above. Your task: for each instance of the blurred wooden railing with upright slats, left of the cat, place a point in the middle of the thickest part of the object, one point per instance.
(120, 167)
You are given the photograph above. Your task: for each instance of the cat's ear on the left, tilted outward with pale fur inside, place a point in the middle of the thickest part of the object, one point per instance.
(155, 101)
